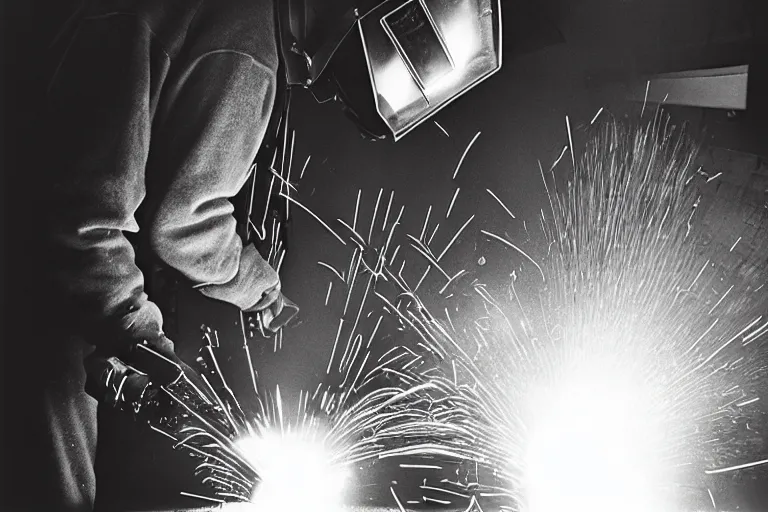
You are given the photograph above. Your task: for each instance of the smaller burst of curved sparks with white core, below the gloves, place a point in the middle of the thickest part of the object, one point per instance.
(256, 454)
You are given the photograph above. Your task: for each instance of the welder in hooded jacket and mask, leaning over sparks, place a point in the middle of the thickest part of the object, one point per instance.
(156, 111)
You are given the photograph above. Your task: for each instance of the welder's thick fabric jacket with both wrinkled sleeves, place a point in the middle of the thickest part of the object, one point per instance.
(156, 110)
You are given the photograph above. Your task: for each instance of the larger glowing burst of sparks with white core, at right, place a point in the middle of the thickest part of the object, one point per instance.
(631, 372)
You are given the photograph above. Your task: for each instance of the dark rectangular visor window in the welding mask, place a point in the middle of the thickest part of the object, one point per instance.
(418, 43)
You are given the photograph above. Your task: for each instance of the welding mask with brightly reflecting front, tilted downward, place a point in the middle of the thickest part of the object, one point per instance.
(390, 64)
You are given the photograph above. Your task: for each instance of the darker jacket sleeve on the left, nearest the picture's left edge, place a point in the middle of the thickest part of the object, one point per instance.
(99, 122)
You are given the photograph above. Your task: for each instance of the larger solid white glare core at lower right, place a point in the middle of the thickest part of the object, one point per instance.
(593, 446)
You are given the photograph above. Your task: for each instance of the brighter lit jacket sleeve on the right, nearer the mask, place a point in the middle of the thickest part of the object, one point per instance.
(209, 129)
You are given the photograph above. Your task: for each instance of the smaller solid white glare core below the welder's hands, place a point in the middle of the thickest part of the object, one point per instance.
(296, 474)
